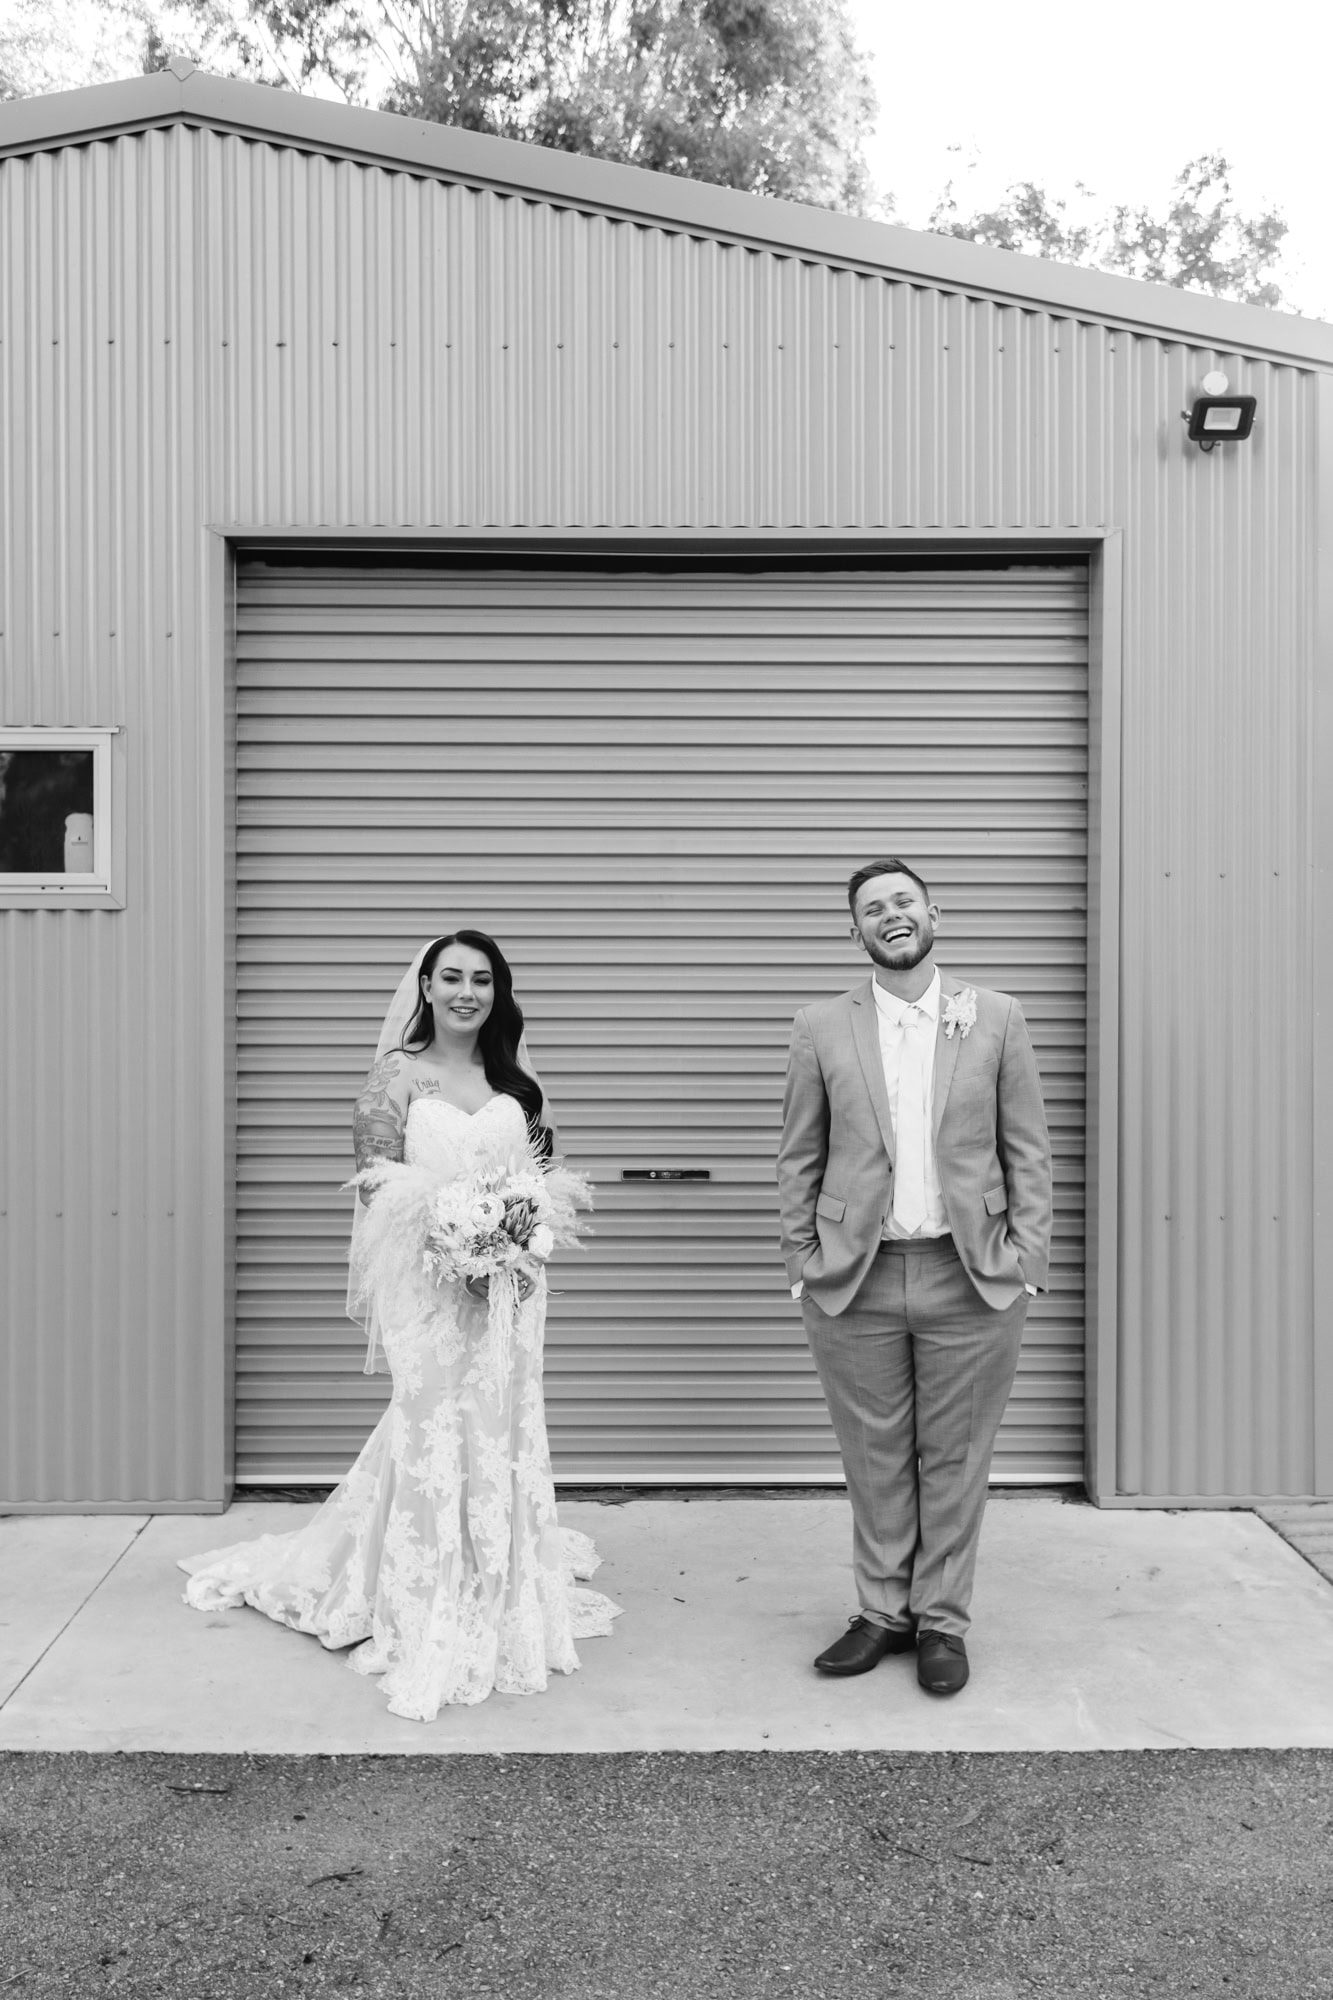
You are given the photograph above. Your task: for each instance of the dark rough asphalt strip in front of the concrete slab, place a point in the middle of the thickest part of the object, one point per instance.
(954, 1877)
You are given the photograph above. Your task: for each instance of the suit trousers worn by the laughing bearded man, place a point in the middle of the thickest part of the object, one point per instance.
(916, 1373)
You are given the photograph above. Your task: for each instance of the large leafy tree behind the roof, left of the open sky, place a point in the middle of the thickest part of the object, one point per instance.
(760, 95)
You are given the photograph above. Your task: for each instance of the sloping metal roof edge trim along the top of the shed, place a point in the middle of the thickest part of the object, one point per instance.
(633, 195)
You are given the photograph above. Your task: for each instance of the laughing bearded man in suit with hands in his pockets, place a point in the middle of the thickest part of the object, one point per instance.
(916, 1197)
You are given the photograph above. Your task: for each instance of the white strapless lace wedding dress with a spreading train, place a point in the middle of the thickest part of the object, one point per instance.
(439, 1555)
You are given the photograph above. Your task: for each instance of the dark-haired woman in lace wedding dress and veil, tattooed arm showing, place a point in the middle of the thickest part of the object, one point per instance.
(439, 1555)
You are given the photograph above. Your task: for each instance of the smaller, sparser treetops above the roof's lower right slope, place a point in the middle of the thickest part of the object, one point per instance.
(1202, 243)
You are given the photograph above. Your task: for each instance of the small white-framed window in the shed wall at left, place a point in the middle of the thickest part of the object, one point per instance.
(55, 815)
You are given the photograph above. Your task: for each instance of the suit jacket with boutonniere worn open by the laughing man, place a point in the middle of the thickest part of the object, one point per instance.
(836, 1163)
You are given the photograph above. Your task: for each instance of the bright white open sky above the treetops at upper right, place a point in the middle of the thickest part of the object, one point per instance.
(1118, 99)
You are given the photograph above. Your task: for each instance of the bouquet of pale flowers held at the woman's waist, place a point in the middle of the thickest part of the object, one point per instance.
(503, 1223)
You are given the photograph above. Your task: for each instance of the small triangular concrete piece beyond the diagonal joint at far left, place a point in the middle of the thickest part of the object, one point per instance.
(49, 1569)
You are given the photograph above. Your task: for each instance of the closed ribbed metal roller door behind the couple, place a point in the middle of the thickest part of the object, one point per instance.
(649, 789)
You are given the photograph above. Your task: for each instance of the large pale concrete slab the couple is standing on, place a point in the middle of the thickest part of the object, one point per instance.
(1096, 1631)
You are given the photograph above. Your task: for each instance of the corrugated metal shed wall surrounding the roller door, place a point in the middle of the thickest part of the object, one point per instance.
(203, 329)
